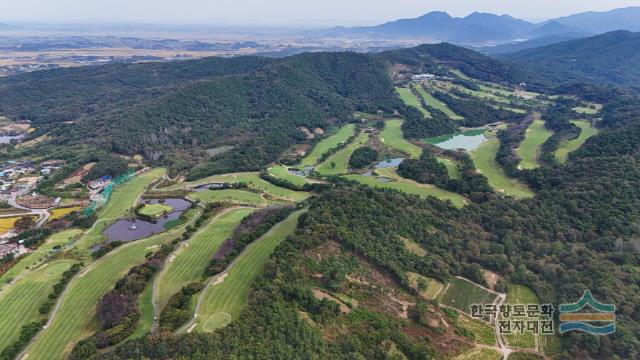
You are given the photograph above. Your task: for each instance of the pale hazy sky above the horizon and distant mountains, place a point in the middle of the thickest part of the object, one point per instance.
(281, 12)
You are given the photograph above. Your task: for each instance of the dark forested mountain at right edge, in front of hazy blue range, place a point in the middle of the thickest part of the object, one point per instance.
(610, 58)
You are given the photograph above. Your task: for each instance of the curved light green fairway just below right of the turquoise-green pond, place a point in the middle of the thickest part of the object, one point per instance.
(484, 158)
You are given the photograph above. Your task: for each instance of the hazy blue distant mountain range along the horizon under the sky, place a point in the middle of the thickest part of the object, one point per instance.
(491, 29)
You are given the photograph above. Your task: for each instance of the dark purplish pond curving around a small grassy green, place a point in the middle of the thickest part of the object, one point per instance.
(134, 229)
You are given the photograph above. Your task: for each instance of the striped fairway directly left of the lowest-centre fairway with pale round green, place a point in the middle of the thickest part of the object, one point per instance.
(188, 263)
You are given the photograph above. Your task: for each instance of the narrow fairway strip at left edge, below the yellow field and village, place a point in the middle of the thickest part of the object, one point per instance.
(35, 259)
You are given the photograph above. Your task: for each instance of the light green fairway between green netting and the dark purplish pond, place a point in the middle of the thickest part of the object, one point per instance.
(125, 196)
